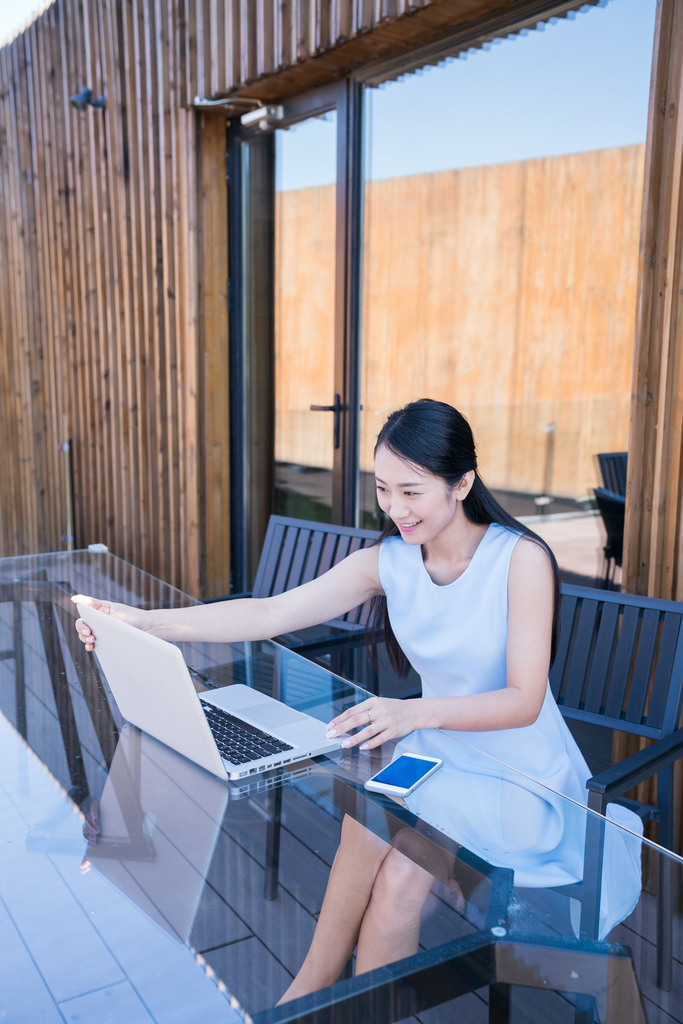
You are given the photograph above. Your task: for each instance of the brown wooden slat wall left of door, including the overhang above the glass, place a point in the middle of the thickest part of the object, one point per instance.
(105, 242)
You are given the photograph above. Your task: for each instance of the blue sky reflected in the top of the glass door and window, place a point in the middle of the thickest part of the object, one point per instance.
(571, 87)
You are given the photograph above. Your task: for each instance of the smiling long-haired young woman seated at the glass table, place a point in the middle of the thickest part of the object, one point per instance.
(469, 598)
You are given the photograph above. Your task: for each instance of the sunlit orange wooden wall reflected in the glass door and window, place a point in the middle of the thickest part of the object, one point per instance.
(496, 289)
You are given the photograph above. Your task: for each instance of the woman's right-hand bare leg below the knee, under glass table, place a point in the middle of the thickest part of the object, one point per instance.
(391, 928)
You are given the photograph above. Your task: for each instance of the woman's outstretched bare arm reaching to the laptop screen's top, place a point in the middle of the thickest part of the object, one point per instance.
(345, 587)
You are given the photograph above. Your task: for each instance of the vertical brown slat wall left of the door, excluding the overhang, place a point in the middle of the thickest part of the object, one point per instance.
(100, 287)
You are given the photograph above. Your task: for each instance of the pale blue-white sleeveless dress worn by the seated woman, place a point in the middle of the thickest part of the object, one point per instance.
(455, 637)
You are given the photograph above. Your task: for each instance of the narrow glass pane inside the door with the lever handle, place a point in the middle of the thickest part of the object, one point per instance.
(306, 203)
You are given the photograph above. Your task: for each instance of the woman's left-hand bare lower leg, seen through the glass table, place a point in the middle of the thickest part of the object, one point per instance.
(354, 871)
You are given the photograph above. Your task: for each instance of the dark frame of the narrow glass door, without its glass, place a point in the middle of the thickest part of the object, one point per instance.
(251, 231)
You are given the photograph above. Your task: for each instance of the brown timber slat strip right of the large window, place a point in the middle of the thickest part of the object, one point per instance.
(653, 538)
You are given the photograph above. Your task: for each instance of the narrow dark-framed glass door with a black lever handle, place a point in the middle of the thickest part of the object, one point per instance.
(293, 332)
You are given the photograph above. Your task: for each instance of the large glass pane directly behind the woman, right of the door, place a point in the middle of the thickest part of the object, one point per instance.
(501, 227)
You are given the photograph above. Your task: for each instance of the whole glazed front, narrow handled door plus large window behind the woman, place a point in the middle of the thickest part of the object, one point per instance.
(461, 226)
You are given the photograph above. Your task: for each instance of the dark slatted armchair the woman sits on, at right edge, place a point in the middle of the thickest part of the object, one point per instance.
(620, 666)
